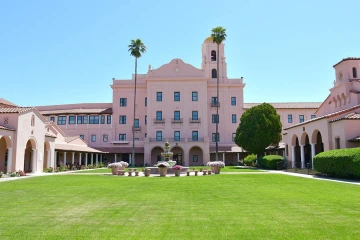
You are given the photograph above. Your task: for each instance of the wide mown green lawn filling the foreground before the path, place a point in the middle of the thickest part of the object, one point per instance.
(261, 206)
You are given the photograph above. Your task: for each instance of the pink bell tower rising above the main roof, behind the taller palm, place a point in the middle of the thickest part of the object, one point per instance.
(210, 56)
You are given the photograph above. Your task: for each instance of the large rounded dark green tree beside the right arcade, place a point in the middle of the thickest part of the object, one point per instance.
(259, 127)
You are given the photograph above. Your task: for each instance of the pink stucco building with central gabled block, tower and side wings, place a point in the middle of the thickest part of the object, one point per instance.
(176, 102)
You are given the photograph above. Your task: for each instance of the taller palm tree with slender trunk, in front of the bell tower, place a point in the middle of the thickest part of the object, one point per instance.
(218, 35)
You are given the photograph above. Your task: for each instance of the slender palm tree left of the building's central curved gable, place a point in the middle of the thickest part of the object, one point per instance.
(136, 48)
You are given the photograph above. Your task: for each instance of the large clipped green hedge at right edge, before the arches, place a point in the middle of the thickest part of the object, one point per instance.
(339, 162)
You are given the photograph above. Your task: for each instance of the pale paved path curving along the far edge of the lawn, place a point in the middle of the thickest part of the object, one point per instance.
(141, 174)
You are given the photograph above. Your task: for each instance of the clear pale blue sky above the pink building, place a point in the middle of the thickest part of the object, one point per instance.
(285, 50)
